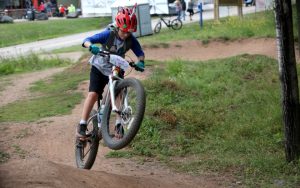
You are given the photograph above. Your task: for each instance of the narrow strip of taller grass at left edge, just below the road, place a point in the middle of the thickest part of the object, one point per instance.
(28, 64)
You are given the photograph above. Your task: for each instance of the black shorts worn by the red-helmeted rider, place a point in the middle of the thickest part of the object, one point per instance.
(97, 81)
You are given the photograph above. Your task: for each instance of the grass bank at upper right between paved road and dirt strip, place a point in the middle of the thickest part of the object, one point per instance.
(260, 24)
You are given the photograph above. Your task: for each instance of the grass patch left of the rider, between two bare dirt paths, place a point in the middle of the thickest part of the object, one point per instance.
(57, 96)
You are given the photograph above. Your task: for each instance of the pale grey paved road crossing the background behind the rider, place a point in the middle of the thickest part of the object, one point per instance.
(76, 39)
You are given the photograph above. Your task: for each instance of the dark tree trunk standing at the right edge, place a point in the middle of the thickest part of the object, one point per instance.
(288, 78)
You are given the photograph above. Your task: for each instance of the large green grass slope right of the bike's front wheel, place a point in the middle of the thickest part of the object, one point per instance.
(223, 116)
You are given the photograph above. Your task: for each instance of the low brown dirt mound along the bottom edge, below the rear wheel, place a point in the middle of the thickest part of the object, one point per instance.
(41, 173)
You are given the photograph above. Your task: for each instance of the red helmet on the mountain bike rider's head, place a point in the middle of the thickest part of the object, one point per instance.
(126, 20)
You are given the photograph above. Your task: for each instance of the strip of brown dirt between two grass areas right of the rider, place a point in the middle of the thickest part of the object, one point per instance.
(195, 50)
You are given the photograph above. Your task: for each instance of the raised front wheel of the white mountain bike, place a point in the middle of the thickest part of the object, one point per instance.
(119, 128)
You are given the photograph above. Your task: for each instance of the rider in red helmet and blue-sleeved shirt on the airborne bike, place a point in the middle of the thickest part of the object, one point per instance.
(117, 40)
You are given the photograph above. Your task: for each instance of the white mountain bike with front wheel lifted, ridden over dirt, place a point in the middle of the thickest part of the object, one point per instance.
(124, 102)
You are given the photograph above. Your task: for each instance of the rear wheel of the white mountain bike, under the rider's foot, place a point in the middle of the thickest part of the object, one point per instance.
(86, 151)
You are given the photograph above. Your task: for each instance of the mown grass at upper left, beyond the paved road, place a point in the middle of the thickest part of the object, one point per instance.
(24, 32)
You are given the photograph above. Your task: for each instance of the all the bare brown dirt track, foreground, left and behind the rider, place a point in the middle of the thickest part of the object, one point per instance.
(42, 153)
